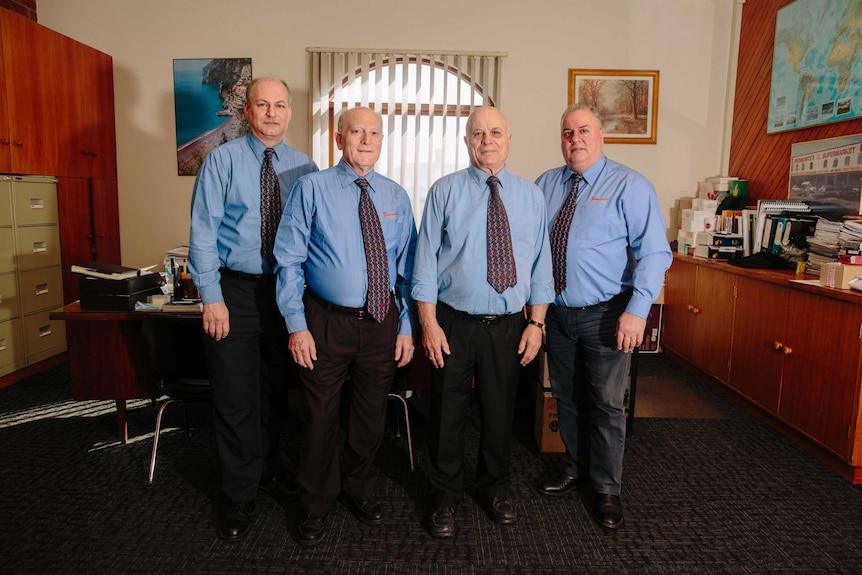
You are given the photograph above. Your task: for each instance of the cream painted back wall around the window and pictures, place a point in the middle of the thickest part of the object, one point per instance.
(688, 41)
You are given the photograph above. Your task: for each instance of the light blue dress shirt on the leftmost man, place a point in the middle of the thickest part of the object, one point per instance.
(225, 219)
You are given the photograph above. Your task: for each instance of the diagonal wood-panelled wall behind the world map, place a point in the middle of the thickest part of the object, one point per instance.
(764, 160)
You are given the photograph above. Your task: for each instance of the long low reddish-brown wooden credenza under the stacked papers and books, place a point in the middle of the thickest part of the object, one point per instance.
(790, 349)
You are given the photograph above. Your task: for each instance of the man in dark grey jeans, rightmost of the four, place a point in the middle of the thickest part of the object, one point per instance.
(610, 254)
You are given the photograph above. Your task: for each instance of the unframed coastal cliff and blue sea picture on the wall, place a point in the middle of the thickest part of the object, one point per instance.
(208, 104)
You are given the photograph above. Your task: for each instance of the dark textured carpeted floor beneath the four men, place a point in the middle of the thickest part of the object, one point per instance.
(702, 495)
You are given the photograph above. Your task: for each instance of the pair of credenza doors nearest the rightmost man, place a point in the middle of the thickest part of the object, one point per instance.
(698, 316)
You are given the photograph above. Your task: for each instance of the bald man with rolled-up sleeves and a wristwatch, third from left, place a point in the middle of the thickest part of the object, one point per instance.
(471, 328)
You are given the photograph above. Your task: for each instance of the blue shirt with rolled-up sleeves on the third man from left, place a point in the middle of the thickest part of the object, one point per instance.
(451, 254)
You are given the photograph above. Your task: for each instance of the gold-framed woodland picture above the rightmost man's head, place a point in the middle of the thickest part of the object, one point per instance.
(627, 100)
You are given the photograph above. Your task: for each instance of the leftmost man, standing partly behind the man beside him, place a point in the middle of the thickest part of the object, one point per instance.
(245, 350)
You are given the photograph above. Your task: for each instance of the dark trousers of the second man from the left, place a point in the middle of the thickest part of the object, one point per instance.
(364, 351)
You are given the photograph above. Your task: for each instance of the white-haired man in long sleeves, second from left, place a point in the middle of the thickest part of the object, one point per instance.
(328, 280)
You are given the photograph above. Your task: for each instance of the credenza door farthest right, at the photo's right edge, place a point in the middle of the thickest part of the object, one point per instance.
(819, 390)
